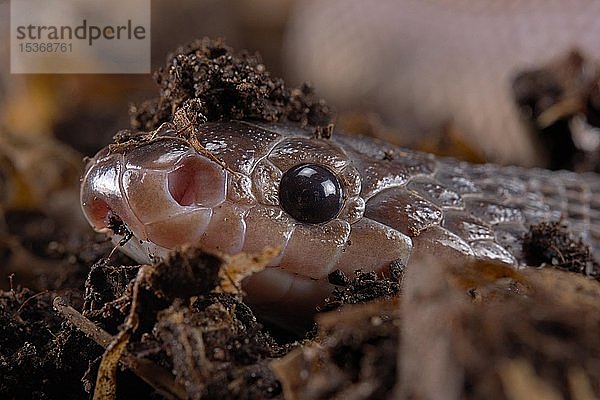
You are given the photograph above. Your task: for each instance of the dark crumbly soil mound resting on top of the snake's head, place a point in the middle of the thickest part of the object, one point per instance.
(228, 86)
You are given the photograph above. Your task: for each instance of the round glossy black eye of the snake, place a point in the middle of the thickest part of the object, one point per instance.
(310, 193)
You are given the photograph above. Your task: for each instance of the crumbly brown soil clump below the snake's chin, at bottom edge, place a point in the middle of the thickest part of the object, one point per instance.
(210, 357)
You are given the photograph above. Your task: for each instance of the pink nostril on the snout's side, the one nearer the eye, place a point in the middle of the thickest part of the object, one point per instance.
(197, 181)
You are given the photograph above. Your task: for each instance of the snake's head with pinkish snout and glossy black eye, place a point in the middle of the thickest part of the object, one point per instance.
(246, 187)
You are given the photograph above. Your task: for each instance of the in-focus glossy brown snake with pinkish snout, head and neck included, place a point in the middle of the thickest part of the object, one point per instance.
(372, 203)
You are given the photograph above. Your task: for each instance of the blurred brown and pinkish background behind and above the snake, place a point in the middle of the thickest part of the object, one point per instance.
(512, 82)
